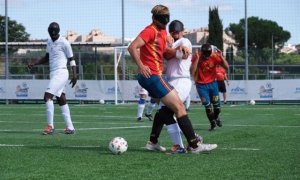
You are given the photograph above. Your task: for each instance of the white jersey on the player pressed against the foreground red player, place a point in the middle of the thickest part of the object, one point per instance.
(180, 68)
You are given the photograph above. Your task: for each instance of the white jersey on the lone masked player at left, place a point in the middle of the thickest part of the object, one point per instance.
(59, 52)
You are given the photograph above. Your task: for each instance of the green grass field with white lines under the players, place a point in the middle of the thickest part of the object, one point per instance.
(255, 142)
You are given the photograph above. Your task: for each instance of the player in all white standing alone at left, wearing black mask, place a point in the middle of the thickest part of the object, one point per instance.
(58, 53)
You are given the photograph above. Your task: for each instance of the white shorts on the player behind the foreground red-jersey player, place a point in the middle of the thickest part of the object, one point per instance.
(183, 86)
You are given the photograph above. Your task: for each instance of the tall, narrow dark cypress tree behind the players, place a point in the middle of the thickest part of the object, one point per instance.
(215, 28)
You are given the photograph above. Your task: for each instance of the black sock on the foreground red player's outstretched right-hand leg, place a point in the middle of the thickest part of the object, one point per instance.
(188, 131)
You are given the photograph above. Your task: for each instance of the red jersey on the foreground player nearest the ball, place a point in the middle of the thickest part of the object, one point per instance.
(151, 53)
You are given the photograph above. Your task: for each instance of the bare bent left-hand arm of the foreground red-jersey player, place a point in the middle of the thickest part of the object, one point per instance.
(133, 50)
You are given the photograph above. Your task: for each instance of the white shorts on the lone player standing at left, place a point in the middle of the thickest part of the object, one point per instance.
(58, 80)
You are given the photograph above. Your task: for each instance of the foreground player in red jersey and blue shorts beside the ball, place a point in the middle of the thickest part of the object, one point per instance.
(152, 46)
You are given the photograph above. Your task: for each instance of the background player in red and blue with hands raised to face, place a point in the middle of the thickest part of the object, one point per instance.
(204, 71)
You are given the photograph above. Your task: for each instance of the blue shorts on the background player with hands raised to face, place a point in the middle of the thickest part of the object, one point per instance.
(209, 93)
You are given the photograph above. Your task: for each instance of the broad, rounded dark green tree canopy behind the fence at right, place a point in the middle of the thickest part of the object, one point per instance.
(261, 33)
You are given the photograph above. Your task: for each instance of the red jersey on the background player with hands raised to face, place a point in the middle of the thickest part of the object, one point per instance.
(207, 68)
